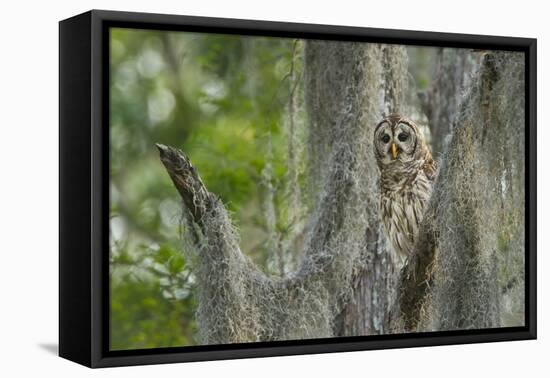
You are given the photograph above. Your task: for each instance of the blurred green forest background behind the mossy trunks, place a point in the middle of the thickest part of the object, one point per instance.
(228, 102)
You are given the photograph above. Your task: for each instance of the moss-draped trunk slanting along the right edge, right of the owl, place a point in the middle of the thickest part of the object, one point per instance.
(471, 246)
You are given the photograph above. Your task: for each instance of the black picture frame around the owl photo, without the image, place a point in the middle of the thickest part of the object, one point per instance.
(84, 190)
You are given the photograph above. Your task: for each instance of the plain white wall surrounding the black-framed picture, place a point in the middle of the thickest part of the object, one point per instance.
(29, 185)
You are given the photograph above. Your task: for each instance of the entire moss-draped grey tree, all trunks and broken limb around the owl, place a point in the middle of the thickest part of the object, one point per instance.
(347, 279)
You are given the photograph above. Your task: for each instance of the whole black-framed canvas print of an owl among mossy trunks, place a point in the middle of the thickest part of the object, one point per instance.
(234, 188)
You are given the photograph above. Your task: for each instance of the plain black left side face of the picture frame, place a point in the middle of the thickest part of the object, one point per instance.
(75, 273)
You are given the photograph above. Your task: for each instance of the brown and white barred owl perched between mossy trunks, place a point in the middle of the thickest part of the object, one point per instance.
(407, 173)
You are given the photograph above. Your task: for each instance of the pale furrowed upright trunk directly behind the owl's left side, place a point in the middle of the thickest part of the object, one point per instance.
(374, 283)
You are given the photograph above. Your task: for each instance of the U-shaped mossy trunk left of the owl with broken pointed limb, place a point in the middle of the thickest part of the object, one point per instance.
(239, 303)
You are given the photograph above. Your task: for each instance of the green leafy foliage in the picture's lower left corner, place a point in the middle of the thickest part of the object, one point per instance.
(152, 304)
